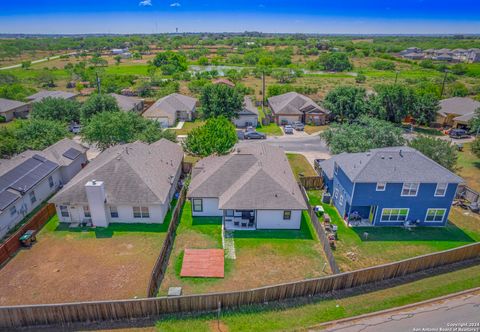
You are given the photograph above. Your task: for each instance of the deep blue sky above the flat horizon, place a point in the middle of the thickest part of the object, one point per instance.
(303, 16)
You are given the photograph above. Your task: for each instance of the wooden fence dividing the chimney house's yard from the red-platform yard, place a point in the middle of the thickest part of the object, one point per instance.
(161, 263)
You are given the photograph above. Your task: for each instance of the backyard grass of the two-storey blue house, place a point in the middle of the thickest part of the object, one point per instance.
(389, 244)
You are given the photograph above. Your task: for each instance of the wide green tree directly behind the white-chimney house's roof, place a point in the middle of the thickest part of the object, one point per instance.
(106, 129)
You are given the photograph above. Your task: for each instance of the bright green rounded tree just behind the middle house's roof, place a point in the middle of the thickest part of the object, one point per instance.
(217, 136)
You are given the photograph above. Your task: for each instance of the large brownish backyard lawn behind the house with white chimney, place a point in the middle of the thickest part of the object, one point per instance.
(68, 265)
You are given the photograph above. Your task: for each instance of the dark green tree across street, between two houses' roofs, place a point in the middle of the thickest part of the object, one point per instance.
(221, 100)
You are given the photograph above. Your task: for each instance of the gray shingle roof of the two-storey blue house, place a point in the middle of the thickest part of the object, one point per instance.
(394, 164)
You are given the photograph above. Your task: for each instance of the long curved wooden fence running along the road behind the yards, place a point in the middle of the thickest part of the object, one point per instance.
(62, 314)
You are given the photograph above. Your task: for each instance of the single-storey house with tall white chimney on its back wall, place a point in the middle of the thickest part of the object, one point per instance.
(130, 183)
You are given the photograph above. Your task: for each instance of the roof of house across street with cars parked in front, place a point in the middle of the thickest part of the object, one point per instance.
(293, 103)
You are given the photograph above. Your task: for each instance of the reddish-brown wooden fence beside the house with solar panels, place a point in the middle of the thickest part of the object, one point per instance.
(12, 243)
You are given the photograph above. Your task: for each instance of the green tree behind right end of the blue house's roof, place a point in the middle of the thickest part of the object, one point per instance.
(436, 149)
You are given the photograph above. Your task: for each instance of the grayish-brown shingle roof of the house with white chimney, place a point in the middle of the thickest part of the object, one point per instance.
(135, 173)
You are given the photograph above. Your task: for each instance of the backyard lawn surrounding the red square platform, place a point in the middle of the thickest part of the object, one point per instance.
(262, 257)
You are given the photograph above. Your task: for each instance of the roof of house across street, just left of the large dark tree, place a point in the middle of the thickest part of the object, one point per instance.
(169, 105)
